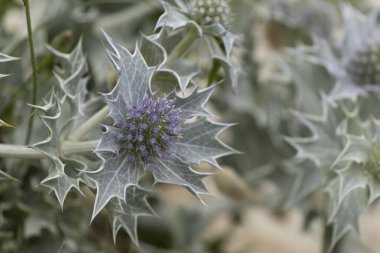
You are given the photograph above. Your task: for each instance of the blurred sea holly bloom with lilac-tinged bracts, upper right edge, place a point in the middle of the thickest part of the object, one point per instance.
(355, 62)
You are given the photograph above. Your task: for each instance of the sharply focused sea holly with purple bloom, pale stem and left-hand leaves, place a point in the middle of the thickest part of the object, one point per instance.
(151, 132)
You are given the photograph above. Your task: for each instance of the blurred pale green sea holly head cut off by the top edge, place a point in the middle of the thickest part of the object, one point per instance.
(205, 20)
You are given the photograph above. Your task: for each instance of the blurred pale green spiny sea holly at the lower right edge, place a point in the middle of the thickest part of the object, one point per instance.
(346, 147)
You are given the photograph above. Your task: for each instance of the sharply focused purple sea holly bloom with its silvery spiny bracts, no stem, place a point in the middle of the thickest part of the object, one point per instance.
(160, 134)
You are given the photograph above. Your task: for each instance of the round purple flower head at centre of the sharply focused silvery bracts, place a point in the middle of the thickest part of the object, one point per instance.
(152, 133)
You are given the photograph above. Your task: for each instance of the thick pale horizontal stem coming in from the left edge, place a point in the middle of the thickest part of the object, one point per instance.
(25, 152)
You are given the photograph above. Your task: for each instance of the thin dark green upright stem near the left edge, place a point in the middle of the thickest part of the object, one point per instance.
(33, 59)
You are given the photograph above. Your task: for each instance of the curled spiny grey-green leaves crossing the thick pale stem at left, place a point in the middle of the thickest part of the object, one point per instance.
(60, 114)
